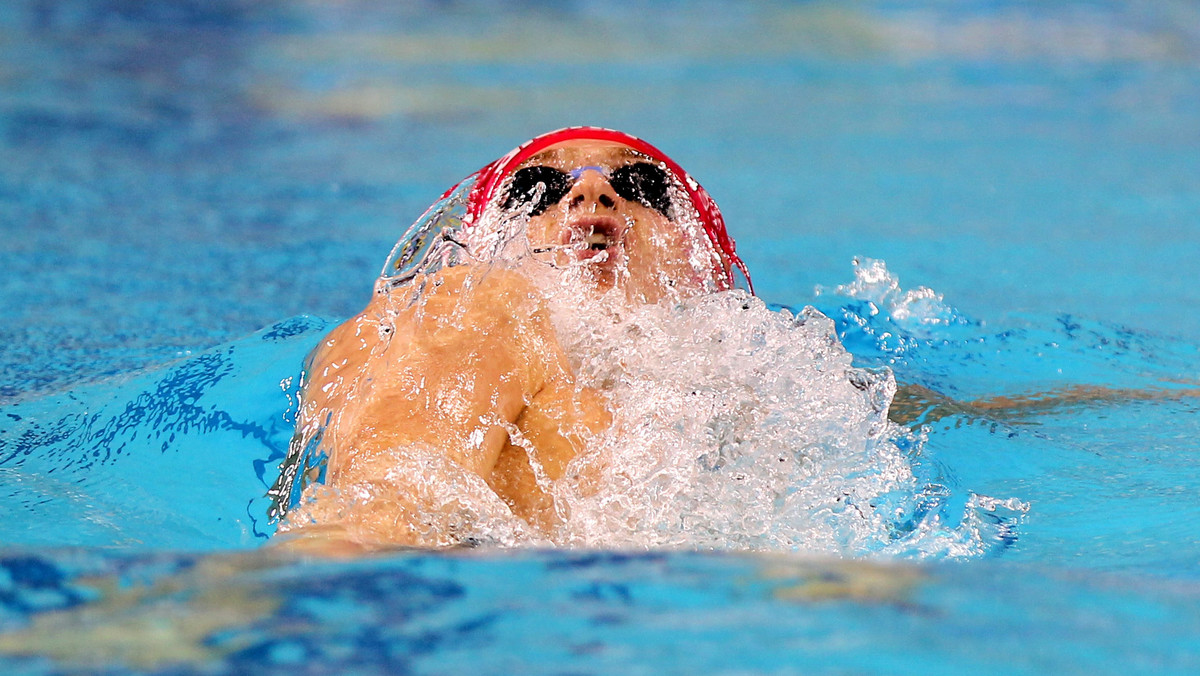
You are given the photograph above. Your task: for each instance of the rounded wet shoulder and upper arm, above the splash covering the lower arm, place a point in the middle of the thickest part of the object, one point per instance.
(457, 370)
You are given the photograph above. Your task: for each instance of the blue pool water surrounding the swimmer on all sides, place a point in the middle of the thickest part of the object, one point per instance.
(193, 193)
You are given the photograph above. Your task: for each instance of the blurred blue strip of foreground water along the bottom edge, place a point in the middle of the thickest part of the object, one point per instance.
(592, 612)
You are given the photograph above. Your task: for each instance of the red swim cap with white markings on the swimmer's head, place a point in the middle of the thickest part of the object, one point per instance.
(490, 178)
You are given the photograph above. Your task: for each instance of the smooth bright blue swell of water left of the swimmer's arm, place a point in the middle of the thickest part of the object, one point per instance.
(181, 457)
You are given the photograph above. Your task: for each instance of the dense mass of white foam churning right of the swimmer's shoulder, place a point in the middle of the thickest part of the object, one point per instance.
(736, 428)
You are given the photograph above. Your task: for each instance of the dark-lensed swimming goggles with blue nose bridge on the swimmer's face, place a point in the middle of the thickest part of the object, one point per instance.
(539, 188)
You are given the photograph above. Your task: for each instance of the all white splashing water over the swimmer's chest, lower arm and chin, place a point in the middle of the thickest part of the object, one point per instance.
(735, 427)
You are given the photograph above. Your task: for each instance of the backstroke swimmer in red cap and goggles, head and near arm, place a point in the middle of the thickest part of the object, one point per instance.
(453, 381)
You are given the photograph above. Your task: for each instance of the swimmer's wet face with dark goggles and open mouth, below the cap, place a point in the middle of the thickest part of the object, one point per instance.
(614, 225)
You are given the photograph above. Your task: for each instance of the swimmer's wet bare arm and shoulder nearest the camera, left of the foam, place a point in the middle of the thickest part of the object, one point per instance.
(428, 409)
